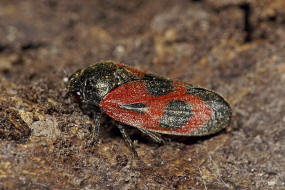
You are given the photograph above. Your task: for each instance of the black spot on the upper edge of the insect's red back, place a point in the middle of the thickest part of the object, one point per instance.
(157, 86)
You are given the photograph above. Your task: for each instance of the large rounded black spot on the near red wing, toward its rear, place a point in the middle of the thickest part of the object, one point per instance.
(176, 114)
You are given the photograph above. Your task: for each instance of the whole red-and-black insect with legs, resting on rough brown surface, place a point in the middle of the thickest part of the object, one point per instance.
(153, 104)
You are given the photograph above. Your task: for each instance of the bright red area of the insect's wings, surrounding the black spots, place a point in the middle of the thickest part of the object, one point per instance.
(135, 92)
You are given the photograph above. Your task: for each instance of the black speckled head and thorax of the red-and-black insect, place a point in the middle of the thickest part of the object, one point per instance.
(93, 83)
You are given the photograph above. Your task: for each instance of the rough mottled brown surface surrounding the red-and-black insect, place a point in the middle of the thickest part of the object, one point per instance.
(233, 47)
